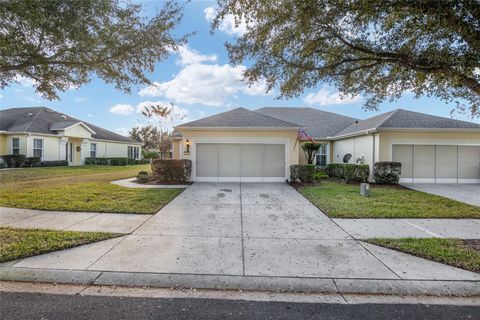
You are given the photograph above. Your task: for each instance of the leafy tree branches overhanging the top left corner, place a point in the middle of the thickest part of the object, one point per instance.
(60, 44)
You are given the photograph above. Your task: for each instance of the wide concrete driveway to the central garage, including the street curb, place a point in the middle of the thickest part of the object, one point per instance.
(247, 236)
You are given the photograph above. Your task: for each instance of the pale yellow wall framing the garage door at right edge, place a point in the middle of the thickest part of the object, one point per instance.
(387, 139)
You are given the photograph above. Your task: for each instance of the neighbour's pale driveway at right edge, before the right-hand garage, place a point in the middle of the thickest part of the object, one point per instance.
(467, 193)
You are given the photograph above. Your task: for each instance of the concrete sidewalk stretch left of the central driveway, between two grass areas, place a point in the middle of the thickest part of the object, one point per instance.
(73, 221)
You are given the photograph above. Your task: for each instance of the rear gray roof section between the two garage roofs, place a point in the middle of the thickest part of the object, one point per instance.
(317, 123)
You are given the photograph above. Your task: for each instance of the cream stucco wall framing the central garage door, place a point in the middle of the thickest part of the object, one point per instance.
(252, 136)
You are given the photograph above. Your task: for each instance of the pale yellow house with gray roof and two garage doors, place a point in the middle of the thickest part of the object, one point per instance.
(260, 145)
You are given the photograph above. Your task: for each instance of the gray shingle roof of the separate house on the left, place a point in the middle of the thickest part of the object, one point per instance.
(46, 120)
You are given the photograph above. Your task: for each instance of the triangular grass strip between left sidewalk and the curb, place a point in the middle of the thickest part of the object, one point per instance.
(21, 243)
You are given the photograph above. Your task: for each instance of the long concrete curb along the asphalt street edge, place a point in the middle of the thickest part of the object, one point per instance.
(283, 284)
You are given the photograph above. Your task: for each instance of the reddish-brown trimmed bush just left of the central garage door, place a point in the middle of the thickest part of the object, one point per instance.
(170, 170)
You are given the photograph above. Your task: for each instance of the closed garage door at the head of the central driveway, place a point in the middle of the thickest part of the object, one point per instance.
(240, 162)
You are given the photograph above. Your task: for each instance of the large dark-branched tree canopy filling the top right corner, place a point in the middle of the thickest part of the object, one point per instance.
(376, 48)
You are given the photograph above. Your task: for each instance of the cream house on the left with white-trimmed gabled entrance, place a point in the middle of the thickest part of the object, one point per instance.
(51, 135)
